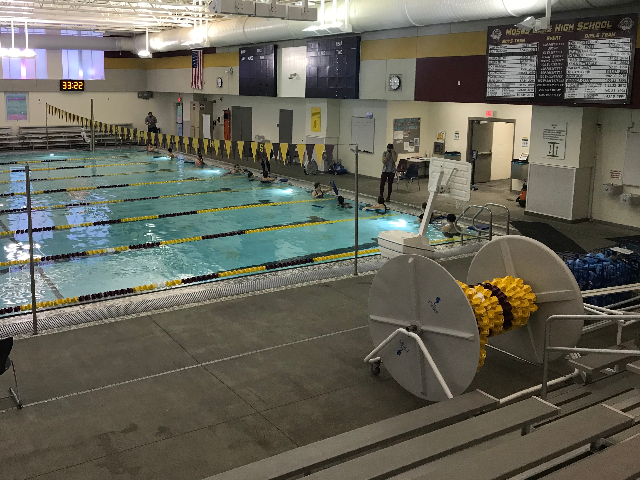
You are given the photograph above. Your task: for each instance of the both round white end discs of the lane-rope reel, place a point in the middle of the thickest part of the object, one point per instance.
(411, 290)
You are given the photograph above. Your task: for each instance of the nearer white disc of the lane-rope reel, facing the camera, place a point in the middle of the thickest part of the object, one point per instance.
(413, 290)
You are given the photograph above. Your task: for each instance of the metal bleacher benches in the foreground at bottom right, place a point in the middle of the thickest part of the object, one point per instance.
(583, 430)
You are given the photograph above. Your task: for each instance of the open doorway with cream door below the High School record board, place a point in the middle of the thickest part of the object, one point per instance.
(493, 140)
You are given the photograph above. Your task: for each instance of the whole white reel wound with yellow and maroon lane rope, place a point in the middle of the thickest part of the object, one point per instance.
(430, 330)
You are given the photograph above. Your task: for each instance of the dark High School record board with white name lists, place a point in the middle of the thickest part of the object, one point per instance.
(573, 61)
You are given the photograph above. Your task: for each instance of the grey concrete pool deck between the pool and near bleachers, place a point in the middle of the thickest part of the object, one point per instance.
(185, 394)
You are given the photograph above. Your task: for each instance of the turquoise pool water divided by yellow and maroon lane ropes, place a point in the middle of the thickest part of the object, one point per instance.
(188, 189)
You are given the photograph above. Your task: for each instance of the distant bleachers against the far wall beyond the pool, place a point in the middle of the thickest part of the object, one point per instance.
(67, 137)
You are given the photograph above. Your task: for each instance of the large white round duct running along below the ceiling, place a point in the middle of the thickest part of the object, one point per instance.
(363, 15)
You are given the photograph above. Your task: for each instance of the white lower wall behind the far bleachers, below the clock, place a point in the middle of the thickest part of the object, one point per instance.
(113, 107)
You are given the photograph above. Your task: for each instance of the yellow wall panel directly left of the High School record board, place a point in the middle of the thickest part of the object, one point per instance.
(452, 45)
